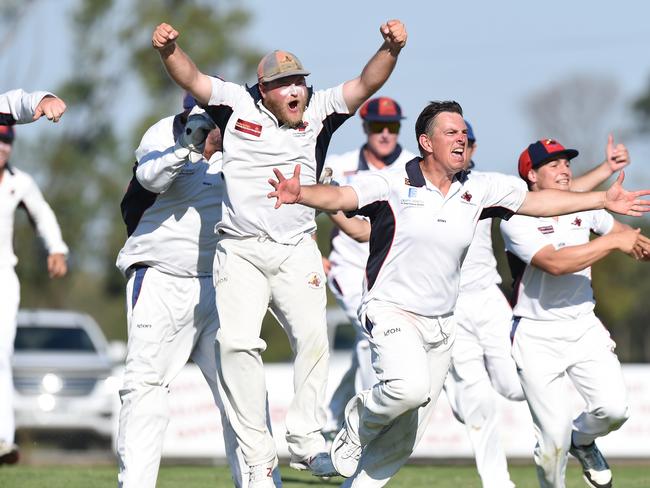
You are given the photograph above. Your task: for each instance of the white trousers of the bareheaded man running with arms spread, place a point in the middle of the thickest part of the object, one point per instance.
(411, 356)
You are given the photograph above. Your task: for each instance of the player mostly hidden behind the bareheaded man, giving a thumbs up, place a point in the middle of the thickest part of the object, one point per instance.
(482, 362)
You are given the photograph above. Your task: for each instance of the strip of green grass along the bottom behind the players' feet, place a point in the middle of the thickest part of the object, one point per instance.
(22, 476)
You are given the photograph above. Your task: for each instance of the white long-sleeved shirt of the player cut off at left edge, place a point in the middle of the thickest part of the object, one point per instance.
(18, 189)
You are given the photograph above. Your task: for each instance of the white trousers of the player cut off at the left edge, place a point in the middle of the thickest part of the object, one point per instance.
(9, 301)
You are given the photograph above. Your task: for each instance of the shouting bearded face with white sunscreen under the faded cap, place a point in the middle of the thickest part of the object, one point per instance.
(286, 98)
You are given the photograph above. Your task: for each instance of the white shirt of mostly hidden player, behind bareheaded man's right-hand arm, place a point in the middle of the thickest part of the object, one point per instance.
(479, 271)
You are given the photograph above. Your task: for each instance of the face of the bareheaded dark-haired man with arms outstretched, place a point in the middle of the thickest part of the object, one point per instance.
(449, 141)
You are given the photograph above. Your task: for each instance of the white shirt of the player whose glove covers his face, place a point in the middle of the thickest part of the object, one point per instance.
(171, 207)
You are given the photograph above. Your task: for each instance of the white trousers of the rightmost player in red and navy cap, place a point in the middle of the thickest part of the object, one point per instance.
(550, 353)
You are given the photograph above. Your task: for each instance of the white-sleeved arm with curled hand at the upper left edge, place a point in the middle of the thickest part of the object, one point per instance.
(20, 107)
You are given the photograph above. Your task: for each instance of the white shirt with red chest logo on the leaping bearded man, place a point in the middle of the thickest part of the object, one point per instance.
(254, 143)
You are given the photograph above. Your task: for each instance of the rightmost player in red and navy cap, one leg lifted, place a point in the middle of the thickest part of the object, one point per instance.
(556, 335)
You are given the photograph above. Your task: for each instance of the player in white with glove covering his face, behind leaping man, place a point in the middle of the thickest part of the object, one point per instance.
(171, 208)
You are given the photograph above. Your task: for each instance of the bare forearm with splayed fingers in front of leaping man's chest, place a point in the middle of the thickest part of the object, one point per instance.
(323, 197)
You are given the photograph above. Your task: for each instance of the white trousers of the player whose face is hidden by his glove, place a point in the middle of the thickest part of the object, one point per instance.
(170, 320)
